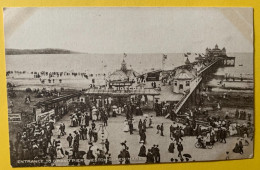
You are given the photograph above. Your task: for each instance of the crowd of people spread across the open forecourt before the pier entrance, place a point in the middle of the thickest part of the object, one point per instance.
(36, 140)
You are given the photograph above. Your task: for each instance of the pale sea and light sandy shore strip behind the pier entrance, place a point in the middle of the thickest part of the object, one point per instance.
(105, 64)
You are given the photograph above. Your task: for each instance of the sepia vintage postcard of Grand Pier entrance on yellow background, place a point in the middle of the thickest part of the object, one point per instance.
(128, 85)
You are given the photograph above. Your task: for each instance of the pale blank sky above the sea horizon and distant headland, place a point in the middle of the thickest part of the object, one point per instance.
(129, 30)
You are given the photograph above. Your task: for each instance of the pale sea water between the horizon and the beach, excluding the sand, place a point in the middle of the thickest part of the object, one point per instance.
(104, 63)
